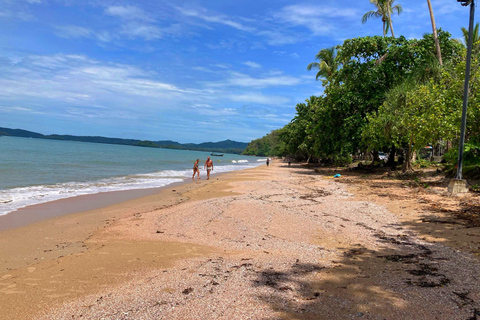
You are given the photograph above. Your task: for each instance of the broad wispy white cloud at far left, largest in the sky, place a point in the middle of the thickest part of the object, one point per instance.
(77, 79)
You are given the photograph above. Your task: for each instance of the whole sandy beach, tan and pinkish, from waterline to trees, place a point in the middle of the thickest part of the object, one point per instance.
(273, 242)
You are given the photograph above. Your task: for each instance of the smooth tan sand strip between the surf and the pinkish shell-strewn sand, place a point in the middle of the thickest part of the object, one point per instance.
(71, 241)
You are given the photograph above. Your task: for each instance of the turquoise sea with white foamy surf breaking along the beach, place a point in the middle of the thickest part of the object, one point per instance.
(34, 171)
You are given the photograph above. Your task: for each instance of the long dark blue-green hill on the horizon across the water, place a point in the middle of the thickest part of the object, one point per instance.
(227, 146)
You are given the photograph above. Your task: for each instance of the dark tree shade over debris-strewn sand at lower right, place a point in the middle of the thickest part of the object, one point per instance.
(426, 271)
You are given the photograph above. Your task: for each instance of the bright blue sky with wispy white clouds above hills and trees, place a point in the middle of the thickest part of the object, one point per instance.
(188, 71)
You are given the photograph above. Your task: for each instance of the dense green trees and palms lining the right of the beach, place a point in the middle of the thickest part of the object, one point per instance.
(387, 94)
